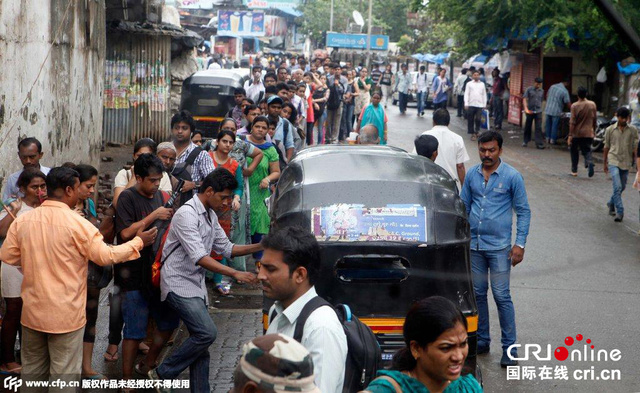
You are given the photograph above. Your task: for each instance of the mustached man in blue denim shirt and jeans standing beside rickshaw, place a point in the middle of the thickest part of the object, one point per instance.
(491, 192)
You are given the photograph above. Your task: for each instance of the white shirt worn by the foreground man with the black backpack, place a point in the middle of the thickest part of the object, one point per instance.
(323, 336)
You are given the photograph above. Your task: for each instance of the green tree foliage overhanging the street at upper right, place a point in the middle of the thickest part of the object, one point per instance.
(547, 23)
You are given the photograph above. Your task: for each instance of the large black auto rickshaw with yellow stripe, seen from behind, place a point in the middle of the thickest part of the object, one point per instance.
(391, 228)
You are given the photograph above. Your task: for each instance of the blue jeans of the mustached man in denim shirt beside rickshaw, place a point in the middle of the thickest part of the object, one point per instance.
(496, 266)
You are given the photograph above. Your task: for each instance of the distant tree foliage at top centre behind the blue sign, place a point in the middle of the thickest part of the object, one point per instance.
(316, 16)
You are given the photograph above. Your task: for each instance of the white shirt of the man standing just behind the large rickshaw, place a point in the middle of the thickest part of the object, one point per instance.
(451, 150)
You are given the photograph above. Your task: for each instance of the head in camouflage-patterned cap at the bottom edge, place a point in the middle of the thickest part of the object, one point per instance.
(274, 360)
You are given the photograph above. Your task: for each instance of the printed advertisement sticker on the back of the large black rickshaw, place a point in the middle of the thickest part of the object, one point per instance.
(353, 222)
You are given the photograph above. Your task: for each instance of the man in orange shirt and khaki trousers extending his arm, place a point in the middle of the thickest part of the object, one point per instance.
(53, 245)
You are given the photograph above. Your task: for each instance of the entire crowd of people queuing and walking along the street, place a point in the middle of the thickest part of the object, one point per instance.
(189, 211)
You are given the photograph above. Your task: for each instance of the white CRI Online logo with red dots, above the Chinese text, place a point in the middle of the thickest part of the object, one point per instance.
(561, 353)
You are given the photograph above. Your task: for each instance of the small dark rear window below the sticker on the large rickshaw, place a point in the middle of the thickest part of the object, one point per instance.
(372, 268)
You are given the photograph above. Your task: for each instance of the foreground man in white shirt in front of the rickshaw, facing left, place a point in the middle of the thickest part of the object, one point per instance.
(288, 271)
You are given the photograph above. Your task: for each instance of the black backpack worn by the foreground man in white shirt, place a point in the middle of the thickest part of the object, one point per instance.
(363, 355)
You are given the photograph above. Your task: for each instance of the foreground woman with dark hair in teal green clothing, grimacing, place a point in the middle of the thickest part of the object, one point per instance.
(435, 332)
